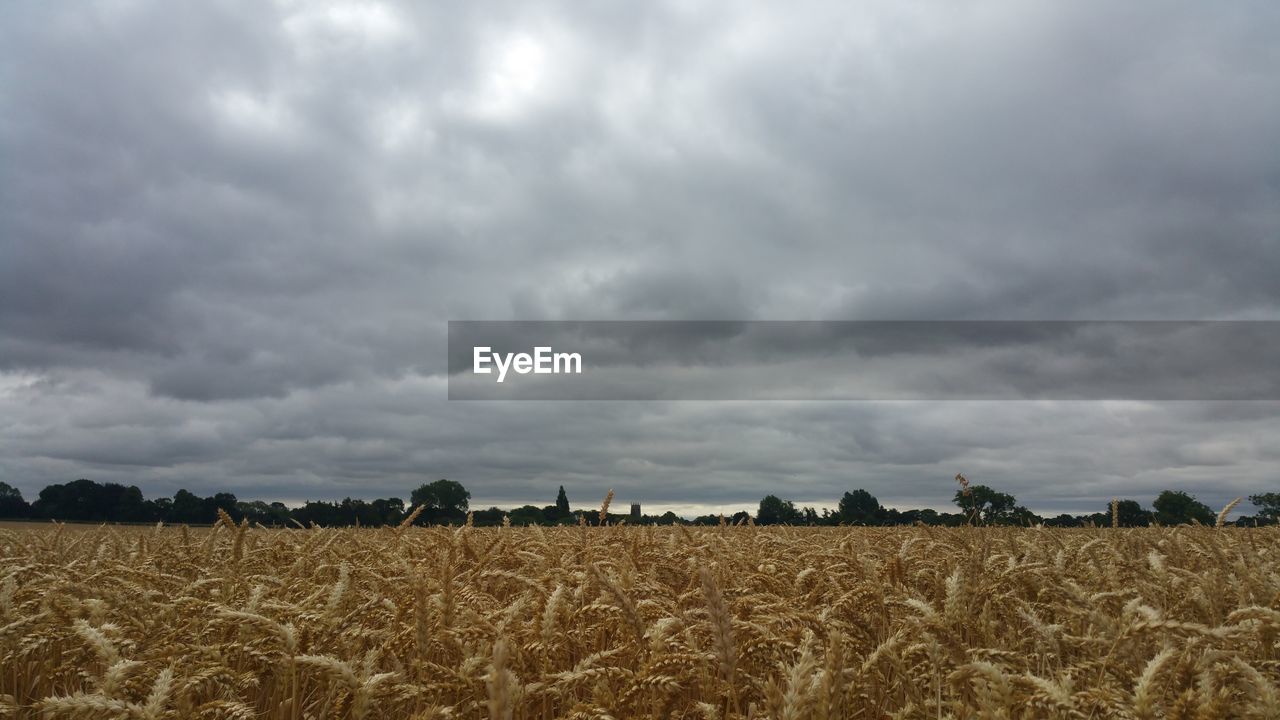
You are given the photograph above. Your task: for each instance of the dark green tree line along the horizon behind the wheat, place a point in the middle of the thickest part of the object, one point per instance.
(449, 503)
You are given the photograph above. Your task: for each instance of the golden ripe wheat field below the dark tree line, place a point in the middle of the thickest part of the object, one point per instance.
(638, 622)
